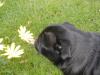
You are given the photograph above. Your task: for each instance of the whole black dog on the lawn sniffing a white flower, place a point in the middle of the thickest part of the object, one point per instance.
(75, 52)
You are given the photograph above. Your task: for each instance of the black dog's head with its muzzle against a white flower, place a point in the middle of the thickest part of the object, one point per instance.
(54, 44)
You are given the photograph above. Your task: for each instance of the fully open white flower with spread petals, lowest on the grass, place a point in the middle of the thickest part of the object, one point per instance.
(13, 51)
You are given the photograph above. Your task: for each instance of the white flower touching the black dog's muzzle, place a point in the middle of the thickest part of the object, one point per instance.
(26, 35)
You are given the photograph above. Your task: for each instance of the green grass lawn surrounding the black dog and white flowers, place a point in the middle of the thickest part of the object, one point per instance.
(36, 15)
